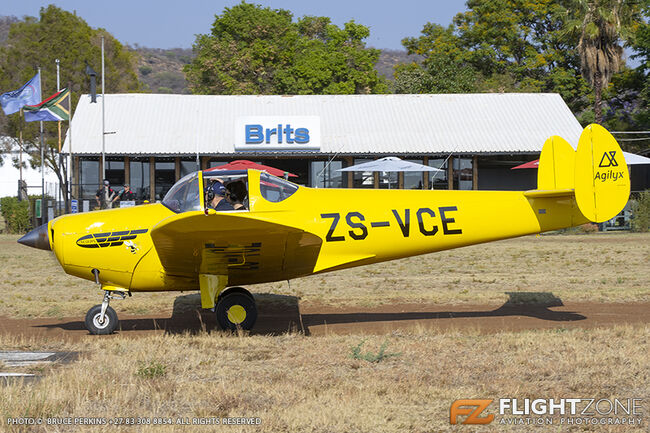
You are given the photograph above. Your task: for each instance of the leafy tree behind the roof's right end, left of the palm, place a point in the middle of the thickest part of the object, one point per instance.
(511, 45)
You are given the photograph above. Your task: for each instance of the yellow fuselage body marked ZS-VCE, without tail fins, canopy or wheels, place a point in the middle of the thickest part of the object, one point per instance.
(340, 228)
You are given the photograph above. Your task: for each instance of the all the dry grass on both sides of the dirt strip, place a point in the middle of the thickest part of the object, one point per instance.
(298, 383)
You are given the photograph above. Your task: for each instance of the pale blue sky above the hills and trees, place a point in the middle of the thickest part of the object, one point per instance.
(175, 23)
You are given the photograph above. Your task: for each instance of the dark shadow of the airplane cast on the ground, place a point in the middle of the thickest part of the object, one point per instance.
(279, 314)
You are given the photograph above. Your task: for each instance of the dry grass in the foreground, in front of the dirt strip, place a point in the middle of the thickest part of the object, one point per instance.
(294, 383)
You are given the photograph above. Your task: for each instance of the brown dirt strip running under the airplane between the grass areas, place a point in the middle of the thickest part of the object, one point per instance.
(315, 319)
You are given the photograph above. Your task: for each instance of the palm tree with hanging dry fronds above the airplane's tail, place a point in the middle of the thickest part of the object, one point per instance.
(603, 25)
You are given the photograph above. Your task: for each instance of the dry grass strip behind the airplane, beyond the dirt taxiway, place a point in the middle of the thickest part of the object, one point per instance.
(612, 267)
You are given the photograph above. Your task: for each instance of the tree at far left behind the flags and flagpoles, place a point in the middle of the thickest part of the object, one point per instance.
(58, 34)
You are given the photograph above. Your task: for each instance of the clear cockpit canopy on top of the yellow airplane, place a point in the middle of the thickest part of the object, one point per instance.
(186, 194)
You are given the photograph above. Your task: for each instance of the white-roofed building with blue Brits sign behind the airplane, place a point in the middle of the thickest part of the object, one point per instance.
(151, 140)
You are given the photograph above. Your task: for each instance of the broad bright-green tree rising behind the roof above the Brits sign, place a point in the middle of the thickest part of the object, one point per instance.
(255, 50)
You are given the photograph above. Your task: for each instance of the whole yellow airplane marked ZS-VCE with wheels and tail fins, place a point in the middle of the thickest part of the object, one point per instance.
(289, 231)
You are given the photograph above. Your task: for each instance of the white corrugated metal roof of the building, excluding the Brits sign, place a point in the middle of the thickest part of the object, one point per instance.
(152, 124)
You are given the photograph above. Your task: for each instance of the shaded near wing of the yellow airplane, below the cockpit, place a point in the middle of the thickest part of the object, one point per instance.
(247, 249)
